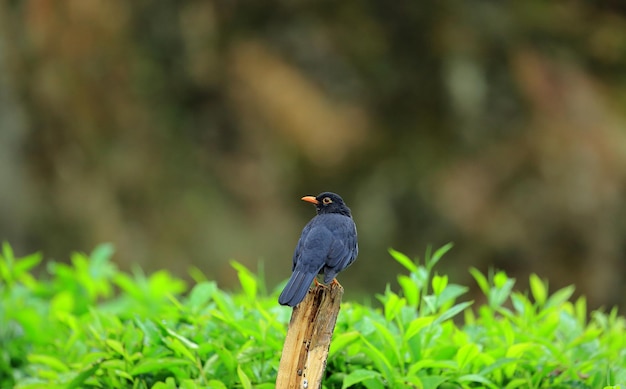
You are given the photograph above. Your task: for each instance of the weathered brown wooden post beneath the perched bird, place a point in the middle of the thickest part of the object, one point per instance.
(311, 327)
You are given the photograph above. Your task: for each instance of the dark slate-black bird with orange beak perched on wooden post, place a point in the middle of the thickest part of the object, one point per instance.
(328, 244)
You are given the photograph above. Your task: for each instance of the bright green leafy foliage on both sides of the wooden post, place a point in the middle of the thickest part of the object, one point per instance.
(90, 325)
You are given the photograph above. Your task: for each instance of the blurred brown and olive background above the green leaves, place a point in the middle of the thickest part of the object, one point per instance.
(185, 133)
